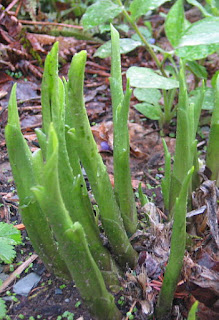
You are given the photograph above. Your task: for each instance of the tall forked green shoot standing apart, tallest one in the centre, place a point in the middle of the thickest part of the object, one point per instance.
(122, 175)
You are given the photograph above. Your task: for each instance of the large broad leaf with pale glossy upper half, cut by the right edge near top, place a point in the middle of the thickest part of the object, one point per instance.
(200, 40)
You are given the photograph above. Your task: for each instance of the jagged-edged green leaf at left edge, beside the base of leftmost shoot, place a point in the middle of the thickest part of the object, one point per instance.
(9, 236)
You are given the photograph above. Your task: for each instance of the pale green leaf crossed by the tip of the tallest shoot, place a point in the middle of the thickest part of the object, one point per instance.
(126, 45)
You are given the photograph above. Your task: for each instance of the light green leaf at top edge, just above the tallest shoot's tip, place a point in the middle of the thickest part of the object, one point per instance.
(99, 13)
